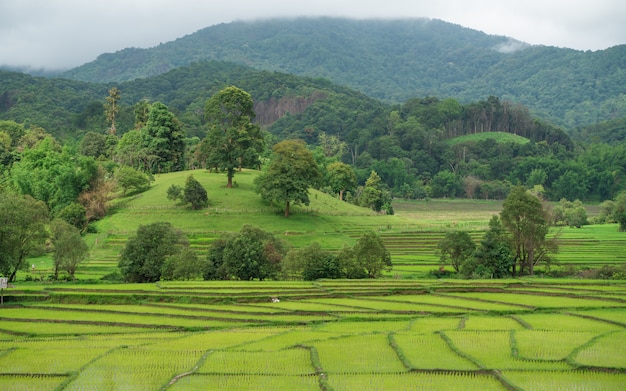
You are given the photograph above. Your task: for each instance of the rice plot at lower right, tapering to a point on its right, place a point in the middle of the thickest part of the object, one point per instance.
(549, 345)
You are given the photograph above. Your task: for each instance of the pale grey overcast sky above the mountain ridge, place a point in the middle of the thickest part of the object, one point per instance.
(59, 34)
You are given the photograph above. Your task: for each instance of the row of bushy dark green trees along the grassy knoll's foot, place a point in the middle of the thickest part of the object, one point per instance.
(159, 251)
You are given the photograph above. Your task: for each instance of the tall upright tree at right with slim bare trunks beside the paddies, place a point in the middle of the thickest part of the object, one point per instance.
(528, 224)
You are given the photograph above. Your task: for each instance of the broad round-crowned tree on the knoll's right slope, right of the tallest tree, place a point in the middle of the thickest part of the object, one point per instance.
(291, 173)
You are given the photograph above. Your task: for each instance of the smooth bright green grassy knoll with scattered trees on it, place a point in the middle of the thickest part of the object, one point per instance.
(326, 219)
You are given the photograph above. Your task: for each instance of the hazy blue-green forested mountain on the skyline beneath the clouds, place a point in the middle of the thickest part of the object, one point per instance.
(394, 60)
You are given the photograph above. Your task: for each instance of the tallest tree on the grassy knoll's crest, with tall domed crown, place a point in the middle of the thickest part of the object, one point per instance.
(233, 141)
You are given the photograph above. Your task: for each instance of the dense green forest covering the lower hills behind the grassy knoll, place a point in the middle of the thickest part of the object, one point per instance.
(424, 147)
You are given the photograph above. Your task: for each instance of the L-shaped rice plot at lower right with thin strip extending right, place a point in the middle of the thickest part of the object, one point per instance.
(493, 350)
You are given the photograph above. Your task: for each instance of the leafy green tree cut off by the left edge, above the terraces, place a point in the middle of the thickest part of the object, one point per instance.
(22, 231)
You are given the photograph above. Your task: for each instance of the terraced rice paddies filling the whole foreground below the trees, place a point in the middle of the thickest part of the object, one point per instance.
(327, 335)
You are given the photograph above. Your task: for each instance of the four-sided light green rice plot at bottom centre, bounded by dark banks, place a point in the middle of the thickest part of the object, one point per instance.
(358, 354)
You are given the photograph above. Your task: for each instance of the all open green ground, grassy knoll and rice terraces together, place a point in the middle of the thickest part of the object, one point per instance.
(404, 331)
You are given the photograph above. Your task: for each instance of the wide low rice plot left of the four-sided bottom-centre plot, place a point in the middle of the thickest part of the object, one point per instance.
(283, 362)
